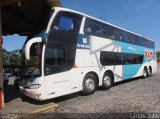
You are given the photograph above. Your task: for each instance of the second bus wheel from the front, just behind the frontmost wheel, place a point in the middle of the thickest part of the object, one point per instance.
(107, 81)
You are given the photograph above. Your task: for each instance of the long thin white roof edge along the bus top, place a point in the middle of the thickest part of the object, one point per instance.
(69, 10)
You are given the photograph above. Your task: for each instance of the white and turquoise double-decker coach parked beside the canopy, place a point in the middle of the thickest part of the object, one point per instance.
(77, 52)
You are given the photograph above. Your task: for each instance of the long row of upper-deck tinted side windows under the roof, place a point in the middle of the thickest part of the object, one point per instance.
(96, 28)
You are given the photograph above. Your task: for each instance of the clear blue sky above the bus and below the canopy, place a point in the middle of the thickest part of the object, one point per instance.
(139, 16)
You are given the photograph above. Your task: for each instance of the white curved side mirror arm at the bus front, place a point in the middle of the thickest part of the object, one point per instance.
(29, 44)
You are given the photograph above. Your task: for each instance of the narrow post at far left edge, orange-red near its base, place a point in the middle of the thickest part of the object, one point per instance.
(1, 64)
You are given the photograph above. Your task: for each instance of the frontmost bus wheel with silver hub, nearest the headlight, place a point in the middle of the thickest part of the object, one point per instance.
(89, 84)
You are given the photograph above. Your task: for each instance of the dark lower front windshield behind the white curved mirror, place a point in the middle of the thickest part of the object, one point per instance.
(32, 67)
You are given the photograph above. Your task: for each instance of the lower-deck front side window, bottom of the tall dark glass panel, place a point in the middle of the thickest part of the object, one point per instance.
(58, 58)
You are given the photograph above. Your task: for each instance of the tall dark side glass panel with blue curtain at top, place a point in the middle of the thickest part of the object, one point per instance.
(62, 42)
